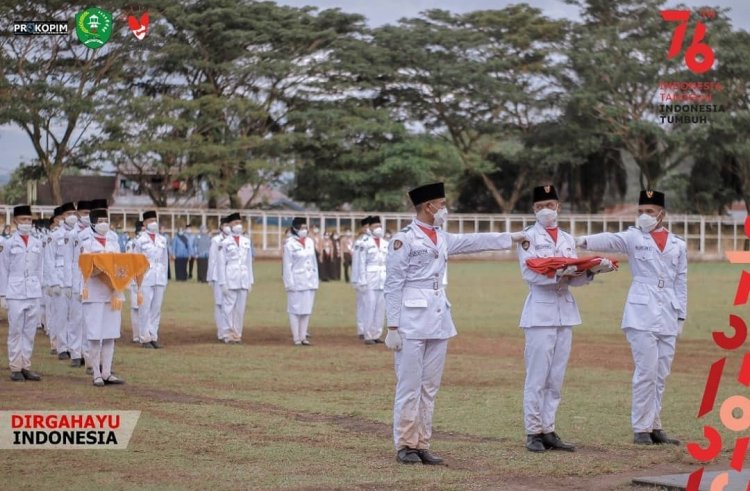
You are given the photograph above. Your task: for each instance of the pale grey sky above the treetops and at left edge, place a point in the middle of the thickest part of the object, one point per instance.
(15, 146)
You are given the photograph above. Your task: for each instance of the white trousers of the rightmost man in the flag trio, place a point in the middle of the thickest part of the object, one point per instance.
(652, 355)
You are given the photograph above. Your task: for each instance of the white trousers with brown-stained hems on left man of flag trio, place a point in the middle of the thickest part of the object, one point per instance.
(419, 369)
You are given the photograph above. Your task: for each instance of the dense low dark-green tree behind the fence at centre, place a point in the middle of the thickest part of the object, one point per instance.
(351, 153)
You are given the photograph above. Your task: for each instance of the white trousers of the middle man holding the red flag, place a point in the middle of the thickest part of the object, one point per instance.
(546, 356)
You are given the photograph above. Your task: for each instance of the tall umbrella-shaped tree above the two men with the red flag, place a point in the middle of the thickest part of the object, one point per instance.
(481, 80)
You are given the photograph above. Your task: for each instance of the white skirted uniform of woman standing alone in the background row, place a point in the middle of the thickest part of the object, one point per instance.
(300, 275)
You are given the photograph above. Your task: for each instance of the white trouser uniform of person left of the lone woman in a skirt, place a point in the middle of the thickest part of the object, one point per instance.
(234, 268)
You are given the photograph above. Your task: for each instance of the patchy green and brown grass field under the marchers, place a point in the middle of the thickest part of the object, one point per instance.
(269, 415)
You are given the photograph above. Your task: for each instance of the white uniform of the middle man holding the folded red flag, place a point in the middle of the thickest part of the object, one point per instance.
(548, 315)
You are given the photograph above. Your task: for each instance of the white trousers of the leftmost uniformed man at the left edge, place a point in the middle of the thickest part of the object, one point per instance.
(23, 319)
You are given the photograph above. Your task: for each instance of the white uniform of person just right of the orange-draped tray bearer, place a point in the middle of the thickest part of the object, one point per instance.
(156, 250)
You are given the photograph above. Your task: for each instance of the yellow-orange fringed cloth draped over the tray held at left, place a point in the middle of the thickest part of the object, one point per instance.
(117, 271)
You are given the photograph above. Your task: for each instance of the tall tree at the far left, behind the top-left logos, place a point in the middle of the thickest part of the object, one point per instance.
(50, 86)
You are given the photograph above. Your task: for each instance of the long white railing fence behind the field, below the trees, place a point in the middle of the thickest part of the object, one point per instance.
(708, 237)
